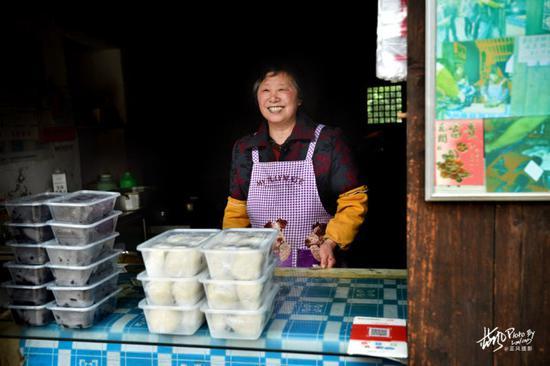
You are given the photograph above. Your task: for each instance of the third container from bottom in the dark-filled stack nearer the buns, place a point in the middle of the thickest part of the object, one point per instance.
(84, 275)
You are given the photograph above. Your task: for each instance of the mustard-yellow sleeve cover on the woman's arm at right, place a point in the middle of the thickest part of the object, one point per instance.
(350, 214)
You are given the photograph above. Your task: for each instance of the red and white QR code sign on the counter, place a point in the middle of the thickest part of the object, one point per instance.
(378, 337)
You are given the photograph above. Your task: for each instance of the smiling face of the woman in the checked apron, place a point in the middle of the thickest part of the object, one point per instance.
(278, 98)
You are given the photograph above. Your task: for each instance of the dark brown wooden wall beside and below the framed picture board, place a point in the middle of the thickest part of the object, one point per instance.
(470, 265)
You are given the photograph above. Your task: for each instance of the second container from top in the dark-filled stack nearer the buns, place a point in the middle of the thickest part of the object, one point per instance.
(77, 234)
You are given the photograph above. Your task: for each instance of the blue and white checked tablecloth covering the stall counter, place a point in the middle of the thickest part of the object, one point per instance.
(310, 326)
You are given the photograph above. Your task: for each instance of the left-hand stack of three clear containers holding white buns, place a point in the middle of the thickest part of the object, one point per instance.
(173, 294)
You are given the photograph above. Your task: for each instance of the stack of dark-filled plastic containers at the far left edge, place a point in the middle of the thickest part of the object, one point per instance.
(27, 291)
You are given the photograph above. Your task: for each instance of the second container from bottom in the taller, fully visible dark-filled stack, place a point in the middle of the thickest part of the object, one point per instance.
(85, 296)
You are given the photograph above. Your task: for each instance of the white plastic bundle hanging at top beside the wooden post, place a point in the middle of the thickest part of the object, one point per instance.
(391, 50)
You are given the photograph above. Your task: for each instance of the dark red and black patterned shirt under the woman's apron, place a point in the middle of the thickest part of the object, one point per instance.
(335, 170)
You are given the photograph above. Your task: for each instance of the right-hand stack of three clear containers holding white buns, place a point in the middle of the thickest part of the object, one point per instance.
(239, 287)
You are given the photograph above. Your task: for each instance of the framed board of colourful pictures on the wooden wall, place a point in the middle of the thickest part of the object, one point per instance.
(487, 100)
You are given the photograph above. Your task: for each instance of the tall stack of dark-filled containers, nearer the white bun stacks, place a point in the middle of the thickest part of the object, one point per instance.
(82, 259)
